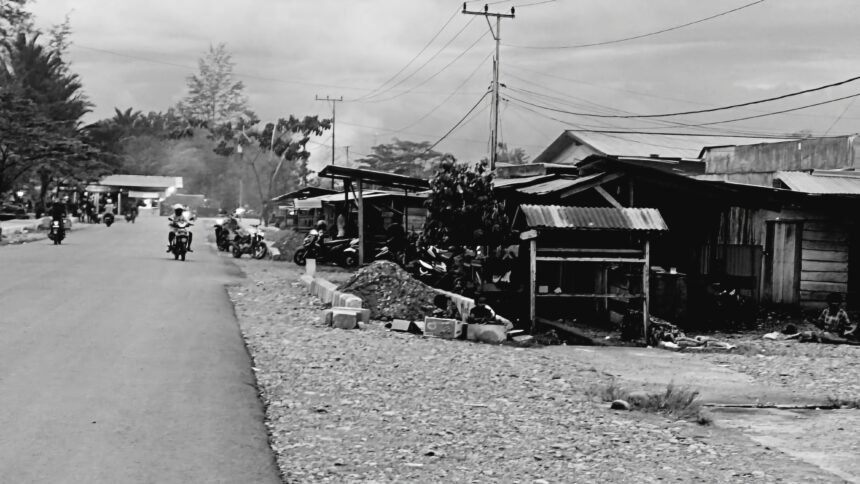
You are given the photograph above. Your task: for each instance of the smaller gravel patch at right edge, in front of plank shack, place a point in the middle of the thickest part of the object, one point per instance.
(830, 371)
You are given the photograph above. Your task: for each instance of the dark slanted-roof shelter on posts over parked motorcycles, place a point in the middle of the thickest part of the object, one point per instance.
(360, 177)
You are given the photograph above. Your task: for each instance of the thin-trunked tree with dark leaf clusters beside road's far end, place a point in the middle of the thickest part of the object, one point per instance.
(277, 154)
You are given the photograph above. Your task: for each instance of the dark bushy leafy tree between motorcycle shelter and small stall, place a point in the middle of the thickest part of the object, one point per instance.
(462, 209)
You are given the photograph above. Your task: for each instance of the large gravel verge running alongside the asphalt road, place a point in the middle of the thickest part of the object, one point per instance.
(375, 406)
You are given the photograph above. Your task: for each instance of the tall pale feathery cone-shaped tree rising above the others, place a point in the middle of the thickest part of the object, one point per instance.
(213, 96)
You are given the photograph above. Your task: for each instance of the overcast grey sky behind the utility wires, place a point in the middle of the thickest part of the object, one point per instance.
(138, 54)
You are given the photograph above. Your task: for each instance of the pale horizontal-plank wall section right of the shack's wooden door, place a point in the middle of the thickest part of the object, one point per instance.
(824, 267)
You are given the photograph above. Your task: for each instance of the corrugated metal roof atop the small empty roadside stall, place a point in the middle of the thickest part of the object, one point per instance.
(592, 218)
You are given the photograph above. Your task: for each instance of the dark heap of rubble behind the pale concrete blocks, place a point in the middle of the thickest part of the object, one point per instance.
(390, 292)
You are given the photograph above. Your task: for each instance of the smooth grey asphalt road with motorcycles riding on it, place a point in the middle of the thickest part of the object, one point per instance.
(120, 365)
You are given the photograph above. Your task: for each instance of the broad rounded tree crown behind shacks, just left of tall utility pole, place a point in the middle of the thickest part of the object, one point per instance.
(402, 157)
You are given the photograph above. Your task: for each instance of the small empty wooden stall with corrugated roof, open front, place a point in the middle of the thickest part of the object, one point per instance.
(587, 261)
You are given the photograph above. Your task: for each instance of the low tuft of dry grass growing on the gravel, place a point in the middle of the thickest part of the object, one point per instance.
(676, 402)
